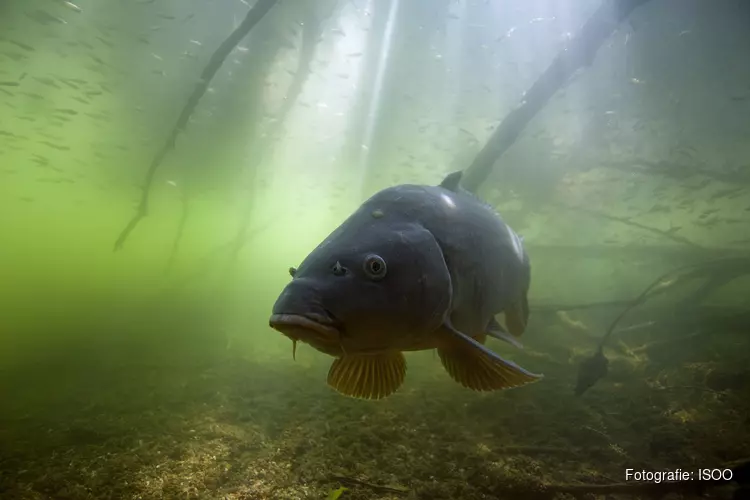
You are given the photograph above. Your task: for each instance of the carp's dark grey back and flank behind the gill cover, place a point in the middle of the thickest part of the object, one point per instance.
(489, 269)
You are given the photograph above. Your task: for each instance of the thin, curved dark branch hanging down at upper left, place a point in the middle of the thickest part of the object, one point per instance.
(254, 15)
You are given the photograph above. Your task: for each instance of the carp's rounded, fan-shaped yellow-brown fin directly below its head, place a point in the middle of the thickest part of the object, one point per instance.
(368, 376)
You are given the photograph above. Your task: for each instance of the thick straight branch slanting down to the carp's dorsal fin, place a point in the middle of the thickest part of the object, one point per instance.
(580, 52)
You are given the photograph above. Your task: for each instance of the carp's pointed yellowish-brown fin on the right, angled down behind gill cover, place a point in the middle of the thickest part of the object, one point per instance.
(474, 366)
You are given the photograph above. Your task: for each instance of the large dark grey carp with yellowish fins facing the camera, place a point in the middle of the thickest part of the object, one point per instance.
(415, 267)
